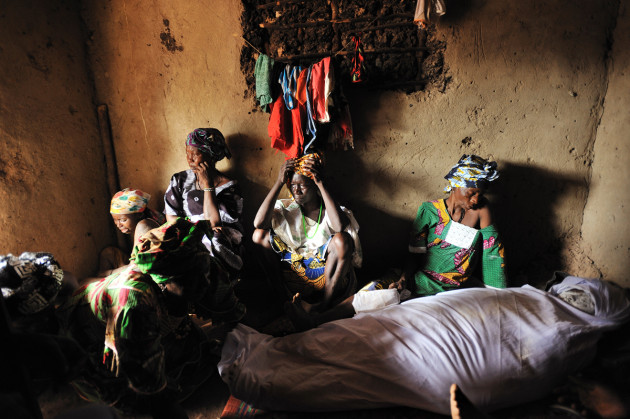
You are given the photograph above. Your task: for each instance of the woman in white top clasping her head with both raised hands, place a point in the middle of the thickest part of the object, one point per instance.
(310, 238)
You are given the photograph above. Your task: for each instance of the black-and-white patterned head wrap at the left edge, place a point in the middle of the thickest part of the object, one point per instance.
(29, 282)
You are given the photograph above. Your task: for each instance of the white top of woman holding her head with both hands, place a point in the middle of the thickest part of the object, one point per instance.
(286, 222)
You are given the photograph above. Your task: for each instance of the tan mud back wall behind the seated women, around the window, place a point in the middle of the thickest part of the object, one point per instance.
(527, 88)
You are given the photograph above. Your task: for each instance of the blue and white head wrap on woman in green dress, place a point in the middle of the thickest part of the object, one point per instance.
(471, 172)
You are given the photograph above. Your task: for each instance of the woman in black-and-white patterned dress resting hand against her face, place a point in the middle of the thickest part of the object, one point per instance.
(204, 193)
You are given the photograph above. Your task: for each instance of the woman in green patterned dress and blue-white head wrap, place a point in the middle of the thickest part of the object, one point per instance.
(453, 240)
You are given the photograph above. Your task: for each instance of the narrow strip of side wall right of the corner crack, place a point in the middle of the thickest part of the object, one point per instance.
(606, 230)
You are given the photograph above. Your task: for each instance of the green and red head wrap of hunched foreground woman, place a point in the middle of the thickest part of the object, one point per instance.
(171, 250)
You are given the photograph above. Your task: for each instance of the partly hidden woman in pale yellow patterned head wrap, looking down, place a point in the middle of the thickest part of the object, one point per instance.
(131, 214)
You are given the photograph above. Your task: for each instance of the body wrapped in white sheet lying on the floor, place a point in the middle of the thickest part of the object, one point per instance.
(501, 346)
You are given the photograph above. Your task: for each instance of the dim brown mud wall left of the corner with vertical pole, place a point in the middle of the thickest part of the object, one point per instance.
(51, 160)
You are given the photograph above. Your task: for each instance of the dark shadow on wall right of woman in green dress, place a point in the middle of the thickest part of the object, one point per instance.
(524, 201)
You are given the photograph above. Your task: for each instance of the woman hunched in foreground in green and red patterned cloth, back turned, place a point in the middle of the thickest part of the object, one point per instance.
(145, 351)
